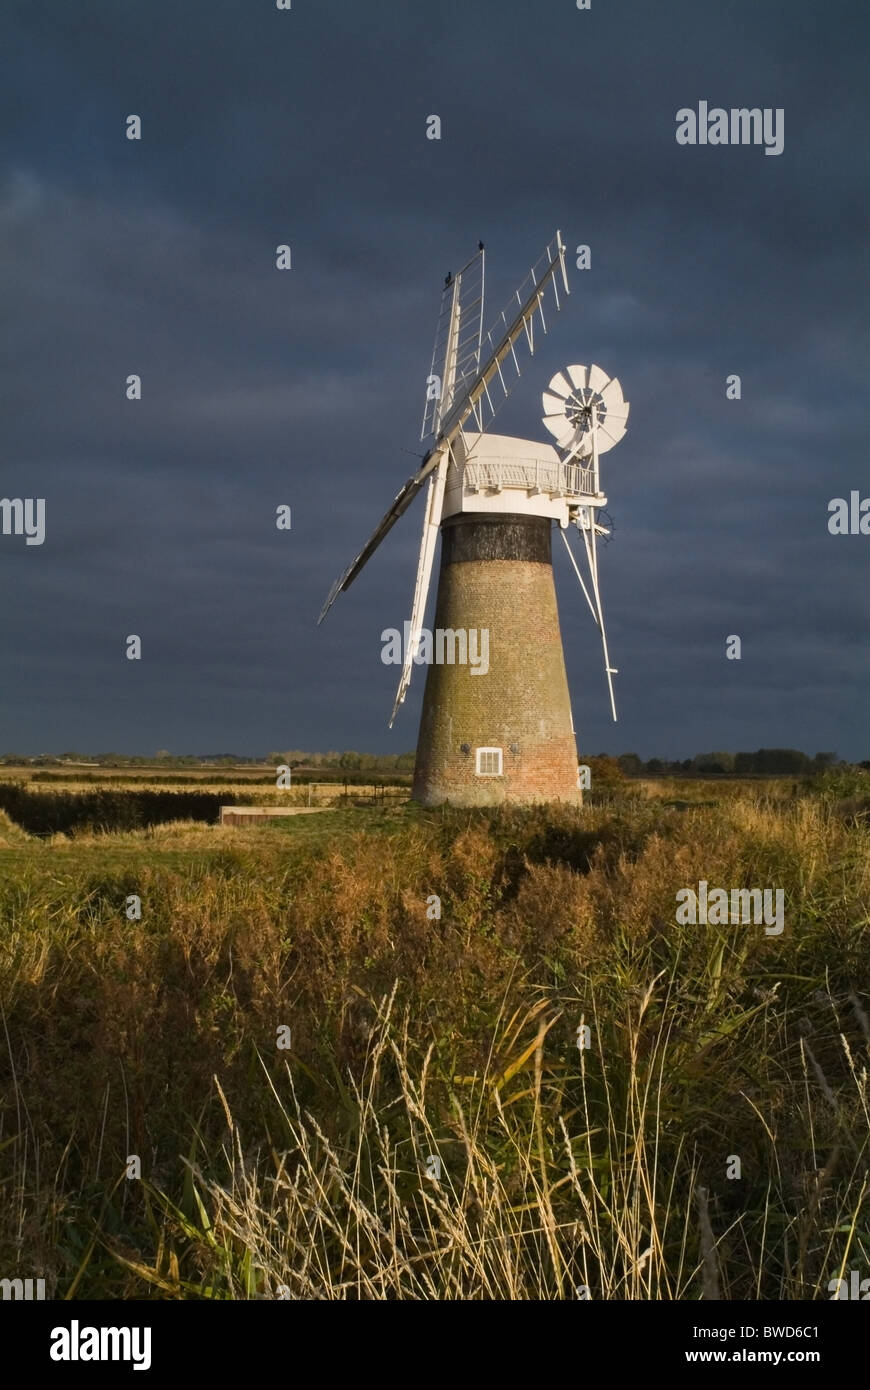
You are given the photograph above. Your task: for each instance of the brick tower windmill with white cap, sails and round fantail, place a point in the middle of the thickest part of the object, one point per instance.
(507, 735)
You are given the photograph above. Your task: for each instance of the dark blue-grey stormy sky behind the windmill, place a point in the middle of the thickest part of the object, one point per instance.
(261, 389)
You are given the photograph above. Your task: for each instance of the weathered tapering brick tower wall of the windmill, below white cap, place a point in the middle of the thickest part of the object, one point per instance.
(522, 701)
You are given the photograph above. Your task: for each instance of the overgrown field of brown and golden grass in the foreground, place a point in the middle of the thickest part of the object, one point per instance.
(433, 1131)
